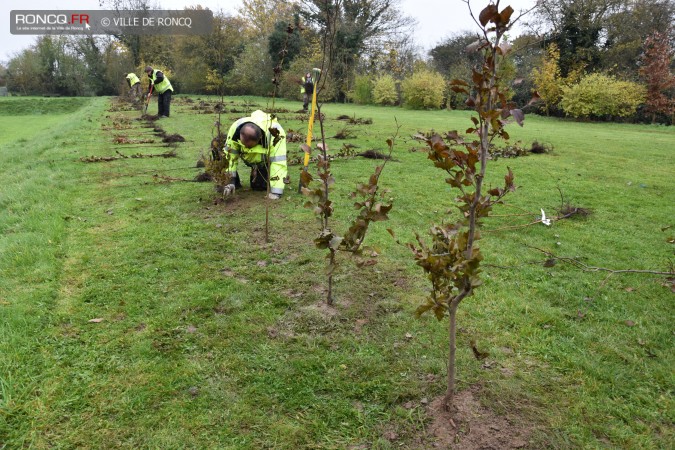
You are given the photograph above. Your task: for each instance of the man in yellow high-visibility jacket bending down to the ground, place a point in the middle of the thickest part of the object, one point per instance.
(260, 143)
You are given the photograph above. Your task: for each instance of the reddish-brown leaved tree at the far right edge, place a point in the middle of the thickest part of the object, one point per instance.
(656, 73)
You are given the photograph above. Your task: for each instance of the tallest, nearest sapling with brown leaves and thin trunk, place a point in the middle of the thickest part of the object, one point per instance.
(452, 259)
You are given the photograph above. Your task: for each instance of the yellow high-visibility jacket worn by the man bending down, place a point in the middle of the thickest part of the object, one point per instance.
(258, 154)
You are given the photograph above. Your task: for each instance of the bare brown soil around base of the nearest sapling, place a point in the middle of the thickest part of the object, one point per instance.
(472, 426)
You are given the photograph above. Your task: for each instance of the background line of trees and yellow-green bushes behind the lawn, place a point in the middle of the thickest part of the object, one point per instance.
(596, 59)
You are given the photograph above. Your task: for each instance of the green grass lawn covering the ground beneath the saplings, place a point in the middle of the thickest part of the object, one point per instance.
(211, 338)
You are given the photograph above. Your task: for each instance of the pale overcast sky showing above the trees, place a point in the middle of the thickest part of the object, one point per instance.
(441, 18)
